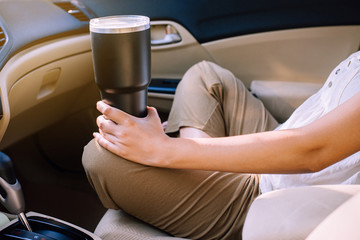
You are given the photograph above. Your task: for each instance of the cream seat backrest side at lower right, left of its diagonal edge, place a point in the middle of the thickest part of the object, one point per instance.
(294, 213)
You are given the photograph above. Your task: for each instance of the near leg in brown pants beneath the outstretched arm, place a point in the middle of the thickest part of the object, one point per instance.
(192, 204)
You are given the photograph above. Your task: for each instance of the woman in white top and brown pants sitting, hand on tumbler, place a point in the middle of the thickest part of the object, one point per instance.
(201, 184)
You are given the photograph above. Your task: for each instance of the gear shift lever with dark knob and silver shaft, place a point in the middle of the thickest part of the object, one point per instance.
(11, 196)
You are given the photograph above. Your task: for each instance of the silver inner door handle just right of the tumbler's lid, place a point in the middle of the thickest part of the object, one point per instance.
(164, 35)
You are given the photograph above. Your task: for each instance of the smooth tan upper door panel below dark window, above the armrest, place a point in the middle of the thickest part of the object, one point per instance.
(300, 55)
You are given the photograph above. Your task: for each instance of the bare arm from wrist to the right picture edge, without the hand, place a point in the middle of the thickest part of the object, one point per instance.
(307, 149)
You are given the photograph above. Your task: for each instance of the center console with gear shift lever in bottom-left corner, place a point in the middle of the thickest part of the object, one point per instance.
(32, 226)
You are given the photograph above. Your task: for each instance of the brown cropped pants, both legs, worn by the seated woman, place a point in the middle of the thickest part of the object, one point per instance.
(187, 203)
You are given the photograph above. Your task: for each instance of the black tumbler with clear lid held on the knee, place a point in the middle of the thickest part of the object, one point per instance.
(121, 56)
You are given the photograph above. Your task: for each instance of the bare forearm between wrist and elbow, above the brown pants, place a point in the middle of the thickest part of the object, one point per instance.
(271, 152)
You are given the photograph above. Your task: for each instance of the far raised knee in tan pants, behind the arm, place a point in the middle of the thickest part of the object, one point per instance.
(212, 99)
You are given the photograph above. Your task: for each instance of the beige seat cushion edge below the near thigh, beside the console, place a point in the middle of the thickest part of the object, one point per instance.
(117, 225)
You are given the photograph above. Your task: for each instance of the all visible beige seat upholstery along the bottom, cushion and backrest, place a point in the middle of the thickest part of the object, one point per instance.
(284, 214)
